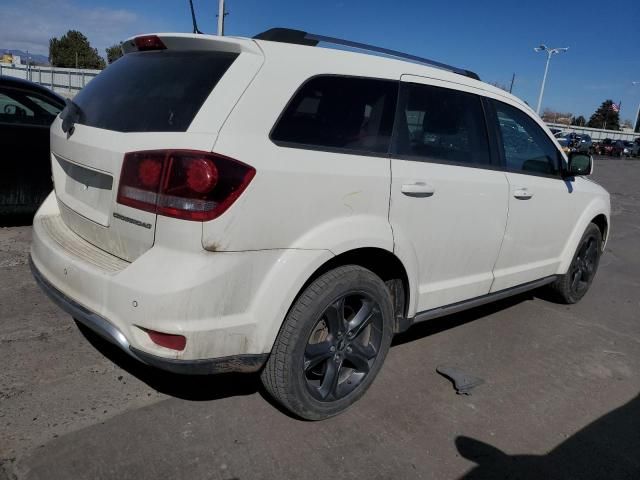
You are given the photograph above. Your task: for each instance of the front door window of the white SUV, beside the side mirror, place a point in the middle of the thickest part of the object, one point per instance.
(527, 148)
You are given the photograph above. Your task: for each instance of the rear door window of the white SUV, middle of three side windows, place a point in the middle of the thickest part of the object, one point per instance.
(442, 125)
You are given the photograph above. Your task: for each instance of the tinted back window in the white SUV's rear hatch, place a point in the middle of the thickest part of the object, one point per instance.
(152, 91)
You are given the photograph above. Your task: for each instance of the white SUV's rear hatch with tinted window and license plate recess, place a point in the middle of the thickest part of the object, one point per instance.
(175, 94)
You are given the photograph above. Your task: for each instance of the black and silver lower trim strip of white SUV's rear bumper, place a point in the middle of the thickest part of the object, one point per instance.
(102, 327)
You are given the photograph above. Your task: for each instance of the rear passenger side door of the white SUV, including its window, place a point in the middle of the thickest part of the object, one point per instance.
(448, 195)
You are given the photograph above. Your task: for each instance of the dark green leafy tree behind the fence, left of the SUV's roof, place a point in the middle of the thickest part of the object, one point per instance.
(74, 47)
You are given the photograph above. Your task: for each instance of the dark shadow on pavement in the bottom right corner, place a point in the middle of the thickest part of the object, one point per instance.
(607, 448)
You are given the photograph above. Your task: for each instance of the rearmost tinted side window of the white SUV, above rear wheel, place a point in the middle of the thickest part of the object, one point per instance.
(349, 113)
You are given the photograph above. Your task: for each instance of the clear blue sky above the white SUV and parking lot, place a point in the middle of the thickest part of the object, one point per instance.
(495, 39)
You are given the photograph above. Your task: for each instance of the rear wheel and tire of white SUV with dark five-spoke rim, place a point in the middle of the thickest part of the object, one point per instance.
(332, 343)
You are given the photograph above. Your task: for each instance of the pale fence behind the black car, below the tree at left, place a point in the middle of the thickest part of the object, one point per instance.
(65, 81)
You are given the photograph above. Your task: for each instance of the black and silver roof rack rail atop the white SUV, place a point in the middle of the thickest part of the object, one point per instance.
(298, 37)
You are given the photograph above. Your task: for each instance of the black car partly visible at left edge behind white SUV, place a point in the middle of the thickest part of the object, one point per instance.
(26, 113)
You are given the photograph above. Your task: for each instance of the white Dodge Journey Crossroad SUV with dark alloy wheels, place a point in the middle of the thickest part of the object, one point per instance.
(232, 204)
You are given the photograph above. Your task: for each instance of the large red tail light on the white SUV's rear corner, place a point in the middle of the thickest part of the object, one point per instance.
(184, 184)
